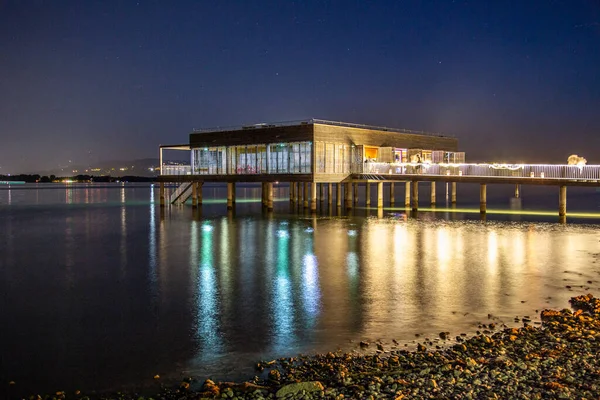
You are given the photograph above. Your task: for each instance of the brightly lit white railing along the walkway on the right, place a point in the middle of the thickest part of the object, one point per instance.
(544, 171)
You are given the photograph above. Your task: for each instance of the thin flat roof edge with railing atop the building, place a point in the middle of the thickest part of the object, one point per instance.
(317, 121)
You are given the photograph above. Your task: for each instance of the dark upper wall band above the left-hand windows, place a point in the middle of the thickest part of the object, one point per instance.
(262, 135)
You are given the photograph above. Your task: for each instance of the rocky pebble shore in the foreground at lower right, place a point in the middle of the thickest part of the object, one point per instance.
(558, 359)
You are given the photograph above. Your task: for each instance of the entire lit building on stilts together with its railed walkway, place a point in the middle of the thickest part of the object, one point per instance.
(313, 156)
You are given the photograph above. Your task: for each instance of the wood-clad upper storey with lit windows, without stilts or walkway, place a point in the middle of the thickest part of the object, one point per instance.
(253, 150)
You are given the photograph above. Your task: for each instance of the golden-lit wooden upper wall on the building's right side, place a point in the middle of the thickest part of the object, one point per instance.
(376, 138)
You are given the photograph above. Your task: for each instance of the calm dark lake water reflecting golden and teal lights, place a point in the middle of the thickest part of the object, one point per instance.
(100, 289)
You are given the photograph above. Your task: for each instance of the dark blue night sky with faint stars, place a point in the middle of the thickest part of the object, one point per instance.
(99, 80)
